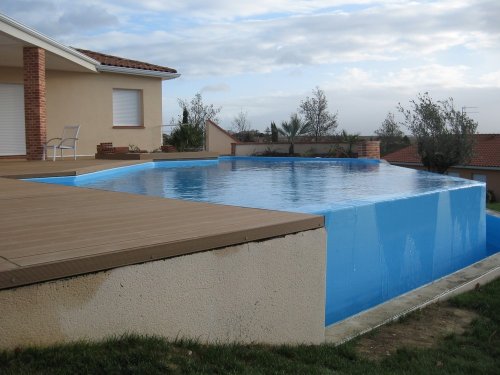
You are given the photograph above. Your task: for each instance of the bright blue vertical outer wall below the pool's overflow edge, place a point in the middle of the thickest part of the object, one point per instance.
(378, 251)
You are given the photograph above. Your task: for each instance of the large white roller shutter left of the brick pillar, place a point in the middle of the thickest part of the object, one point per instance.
(12, 131)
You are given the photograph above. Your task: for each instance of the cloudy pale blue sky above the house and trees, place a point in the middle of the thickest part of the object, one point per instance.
(263, 57)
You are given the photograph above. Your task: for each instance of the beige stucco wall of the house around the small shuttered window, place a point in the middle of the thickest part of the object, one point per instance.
(87, 99)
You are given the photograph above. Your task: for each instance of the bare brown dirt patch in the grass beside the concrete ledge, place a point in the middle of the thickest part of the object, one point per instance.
(421, 329)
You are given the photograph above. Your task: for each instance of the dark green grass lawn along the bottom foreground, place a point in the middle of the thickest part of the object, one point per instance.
(477, 351)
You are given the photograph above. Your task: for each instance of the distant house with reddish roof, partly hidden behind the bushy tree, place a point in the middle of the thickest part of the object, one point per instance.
(484, 166)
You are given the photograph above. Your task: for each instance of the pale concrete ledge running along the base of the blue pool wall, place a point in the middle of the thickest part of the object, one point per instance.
(463, 280)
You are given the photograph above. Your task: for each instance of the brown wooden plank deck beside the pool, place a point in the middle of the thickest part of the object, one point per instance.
(53, 231)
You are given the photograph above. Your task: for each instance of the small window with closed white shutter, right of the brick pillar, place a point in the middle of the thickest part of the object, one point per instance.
(127, 108)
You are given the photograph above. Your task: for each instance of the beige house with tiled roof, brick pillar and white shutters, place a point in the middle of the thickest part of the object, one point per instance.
(45, 85)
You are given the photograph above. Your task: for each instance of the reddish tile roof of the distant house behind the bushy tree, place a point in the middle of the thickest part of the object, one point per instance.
(486, 153)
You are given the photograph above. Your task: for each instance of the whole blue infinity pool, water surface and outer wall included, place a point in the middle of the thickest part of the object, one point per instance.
(389, 229)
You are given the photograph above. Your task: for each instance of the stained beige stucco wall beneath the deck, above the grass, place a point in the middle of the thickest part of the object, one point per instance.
(271, 291)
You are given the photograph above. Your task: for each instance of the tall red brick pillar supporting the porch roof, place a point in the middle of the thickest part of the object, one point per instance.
(34, 101)
